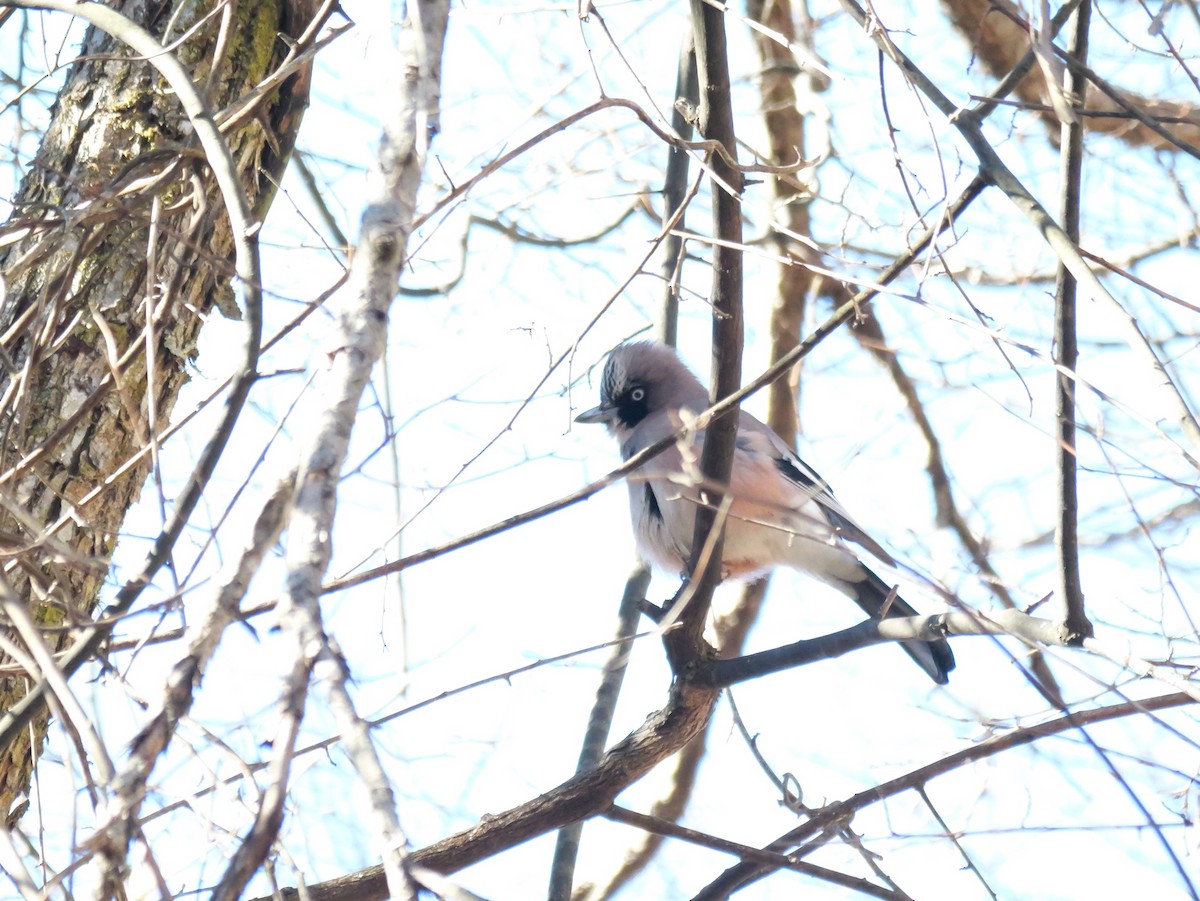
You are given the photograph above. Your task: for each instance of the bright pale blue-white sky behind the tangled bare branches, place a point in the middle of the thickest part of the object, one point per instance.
(459, 365)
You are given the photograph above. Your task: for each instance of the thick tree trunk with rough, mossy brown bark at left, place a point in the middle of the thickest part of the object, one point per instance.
(118, 214)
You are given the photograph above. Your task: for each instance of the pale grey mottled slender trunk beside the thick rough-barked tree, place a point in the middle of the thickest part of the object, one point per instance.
(356, 346)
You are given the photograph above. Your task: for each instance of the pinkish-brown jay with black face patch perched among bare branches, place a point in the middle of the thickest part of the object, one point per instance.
(783, 514)
